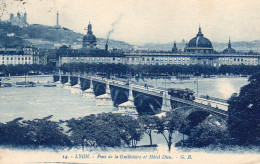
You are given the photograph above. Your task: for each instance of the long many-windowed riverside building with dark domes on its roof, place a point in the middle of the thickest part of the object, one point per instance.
(199, 50)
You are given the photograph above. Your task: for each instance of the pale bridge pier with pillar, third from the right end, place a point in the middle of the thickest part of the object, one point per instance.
(105, 99)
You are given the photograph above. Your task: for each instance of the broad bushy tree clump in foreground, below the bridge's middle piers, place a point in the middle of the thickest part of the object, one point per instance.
(104, 130)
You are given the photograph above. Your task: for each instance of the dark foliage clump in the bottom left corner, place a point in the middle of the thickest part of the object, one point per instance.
(33, 133)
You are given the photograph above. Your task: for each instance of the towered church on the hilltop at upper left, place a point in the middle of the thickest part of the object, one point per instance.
(19, 20)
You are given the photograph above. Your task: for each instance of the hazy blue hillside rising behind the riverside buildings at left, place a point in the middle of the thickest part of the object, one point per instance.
(47, 37)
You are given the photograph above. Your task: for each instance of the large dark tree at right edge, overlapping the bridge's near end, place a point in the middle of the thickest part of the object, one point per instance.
(244, 113)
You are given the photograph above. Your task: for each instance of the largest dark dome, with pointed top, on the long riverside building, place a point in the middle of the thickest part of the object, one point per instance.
(199, 44)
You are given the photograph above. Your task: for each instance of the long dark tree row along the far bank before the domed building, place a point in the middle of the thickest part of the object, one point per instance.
(156, 70)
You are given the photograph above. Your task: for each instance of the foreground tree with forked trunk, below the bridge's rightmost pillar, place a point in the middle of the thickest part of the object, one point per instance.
(172, 122)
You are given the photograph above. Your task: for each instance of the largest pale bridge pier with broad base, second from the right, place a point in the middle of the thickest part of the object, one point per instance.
(128, 107)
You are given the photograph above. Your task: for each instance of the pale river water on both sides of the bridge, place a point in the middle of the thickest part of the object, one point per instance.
(39, 101)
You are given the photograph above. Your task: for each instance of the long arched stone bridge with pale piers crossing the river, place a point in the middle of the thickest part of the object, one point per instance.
(143, 100)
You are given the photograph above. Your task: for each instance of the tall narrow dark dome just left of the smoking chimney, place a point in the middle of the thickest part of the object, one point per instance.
(89, 40)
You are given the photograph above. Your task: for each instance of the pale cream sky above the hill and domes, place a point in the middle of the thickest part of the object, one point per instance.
(147, 21)
